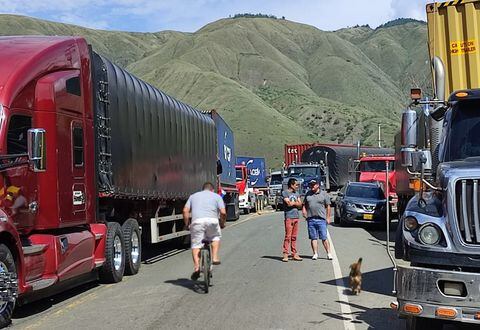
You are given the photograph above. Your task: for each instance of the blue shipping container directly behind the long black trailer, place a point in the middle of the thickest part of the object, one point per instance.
(226, 149)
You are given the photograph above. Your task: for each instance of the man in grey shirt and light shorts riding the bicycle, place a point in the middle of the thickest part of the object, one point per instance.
(205, 207)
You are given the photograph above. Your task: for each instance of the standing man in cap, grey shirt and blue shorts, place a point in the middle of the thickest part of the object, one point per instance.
(316, 209)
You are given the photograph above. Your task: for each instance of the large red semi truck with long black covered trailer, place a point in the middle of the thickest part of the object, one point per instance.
(90, 156)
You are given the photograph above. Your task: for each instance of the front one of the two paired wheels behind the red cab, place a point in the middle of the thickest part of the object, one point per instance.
(114, 266)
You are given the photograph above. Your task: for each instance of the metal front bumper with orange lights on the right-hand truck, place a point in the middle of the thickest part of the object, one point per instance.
(432, 289)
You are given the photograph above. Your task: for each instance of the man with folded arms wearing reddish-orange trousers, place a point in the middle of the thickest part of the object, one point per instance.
(292, 203)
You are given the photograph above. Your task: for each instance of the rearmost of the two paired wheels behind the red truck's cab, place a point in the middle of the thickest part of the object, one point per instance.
(133, 246)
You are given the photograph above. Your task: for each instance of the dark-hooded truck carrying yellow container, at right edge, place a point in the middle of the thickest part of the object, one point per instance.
(437, 245)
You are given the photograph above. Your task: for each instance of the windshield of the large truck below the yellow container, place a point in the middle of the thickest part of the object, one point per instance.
(463, 139)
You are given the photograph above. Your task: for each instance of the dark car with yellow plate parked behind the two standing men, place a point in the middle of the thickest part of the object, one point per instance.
(360, 202)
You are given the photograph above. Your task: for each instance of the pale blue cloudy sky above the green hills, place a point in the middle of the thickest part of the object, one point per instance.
(191, 15)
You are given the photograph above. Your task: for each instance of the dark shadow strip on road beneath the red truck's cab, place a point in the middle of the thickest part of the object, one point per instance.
(47, 303)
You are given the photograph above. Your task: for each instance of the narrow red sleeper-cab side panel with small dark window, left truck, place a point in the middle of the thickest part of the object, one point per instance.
(71, 153)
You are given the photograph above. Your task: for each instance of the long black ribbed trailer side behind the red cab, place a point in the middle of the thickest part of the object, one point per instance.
(149, 145)
